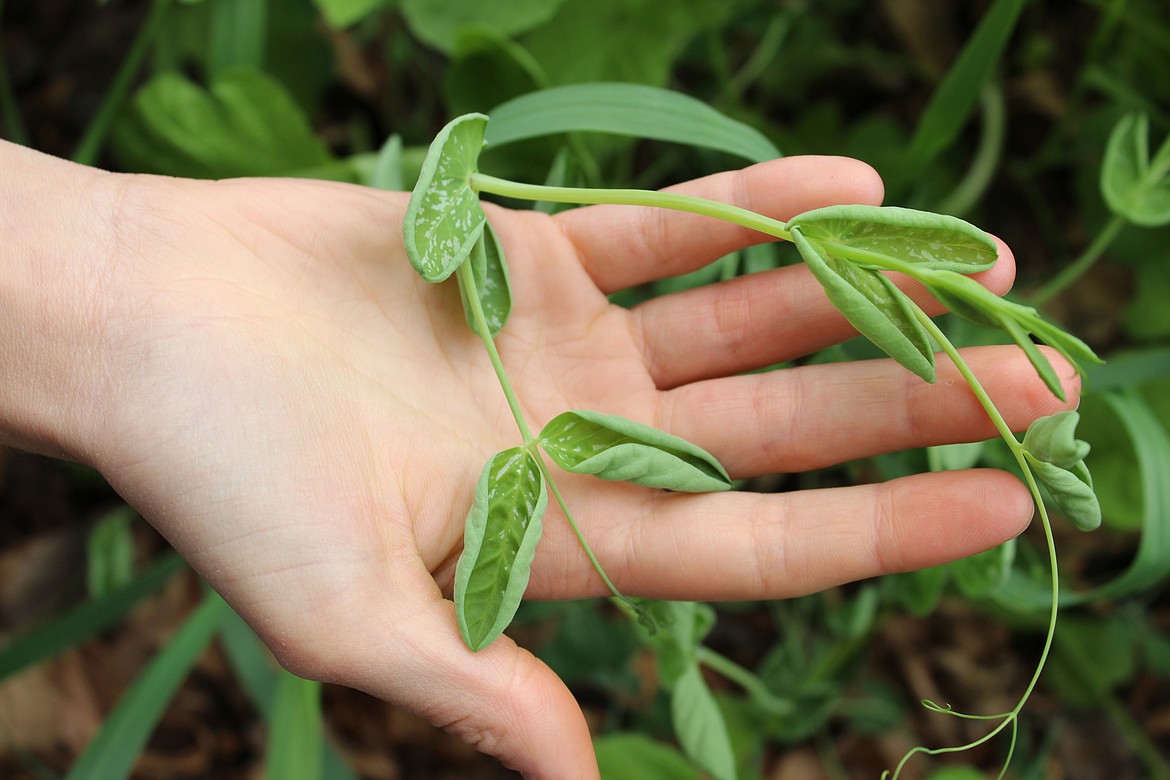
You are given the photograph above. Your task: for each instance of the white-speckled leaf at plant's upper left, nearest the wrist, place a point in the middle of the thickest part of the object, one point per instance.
(444, 219)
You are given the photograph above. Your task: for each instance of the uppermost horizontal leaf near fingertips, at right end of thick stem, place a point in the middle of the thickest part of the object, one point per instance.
(871, 233)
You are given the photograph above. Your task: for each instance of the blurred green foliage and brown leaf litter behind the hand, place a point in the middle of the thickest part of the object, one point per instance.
(1000, 112)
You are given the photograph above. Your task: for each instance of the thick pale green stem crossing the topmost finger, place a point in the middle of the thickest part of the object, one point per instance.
(672, 201)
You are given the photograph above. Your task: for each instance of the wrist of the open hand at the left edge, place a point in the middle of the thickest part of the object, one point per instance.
(58, 224)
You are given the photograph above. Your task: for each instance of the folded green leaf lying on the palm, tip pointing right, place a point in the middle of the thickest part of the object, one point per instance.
(615, 448)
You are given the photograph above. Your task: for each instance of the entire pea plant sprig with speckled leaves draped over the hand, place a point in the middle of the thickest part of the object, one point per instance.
(848, 250)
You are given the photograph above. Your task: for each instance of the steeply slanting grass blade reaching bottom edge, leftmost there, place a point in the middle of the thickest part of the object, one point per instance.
(114, 753)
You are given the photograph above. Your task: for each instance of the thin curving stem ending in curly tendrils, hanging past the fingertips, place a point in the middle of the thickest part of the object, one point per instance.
(1017, 451)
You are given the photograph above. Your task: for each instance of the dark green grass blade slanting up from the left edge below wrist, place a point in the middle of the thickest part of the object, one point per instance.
(86, 620)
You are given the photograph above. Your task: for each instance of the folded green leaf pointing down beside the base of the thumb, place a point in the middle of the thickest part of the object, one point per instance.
(499, 546)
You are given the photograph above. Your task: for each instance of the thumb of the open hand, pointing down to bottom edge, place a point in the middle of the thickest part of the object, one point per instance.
(503, 700)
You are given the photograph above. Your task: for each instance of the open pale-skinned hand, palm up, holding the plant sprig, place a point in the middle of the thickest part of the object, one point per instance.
(256, 368)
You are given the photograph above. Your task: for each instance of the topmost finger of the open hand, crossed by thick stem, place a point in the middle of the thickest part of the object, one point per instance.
(622, 246)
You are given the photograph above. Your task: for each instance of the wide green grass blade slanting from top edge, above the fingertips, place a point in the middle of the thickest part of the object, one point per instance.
(955, 99)
